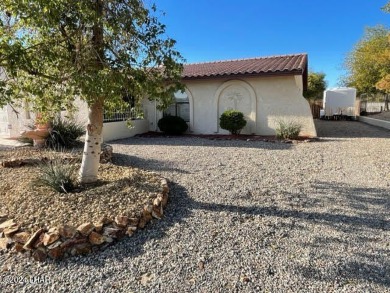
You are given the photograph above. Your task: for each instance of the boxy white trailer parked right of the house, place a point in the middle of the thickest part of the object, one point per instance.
(340, 103)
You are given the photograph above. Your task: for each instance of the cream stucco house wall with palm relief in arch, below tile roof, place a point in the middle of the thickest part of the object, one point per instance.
(264, 101)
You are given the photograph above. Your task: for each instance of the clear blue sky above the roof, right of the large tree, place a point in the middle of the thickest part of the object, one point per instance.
(210, 30)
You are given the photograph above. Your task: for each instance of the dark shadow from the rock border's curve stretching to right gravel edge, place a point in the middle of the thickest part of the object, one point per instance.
(181, 206)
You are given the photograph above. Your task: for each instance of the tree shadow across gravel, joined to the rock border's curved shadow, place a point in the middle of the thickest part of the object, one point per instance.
(351, 218)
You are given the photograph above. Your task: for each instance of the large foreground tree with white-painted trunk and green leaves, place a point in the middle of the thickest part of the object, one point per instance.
(53, 51)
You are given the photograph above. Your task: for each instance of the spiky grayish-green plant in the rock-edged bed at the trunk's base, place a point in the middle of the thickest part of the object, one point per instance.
(57, 175)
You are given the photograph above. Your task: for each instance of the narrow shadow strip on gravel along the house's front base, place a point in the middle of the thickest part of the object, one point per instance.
(203, 142)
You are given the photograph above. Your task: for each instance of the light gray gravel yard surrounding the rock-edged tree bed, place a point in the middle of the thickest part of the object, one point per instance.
(246, 216)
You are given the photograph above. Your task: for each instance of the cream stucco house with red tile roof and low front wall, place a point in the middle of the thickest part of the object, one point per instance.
(265, 89)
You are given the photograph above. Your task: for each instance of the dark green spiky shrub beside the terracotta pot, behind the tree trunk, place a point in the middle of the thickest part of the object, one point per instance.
(64, 134)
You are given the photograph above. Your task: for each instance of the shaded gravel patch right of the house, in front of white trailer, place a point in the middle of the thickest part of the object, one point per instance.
(349, 129)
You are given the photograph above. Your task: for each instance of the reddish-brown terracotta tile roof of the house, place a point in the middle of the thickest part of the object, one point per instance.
(285, 64)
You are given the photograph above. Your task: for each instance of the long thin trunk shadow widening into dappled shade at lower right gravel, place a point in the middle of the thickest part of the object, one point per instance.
(362, 217)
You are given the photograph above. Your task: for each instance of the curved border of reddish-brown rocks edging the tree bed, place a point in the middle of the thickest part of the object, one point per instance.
(66, 240)
